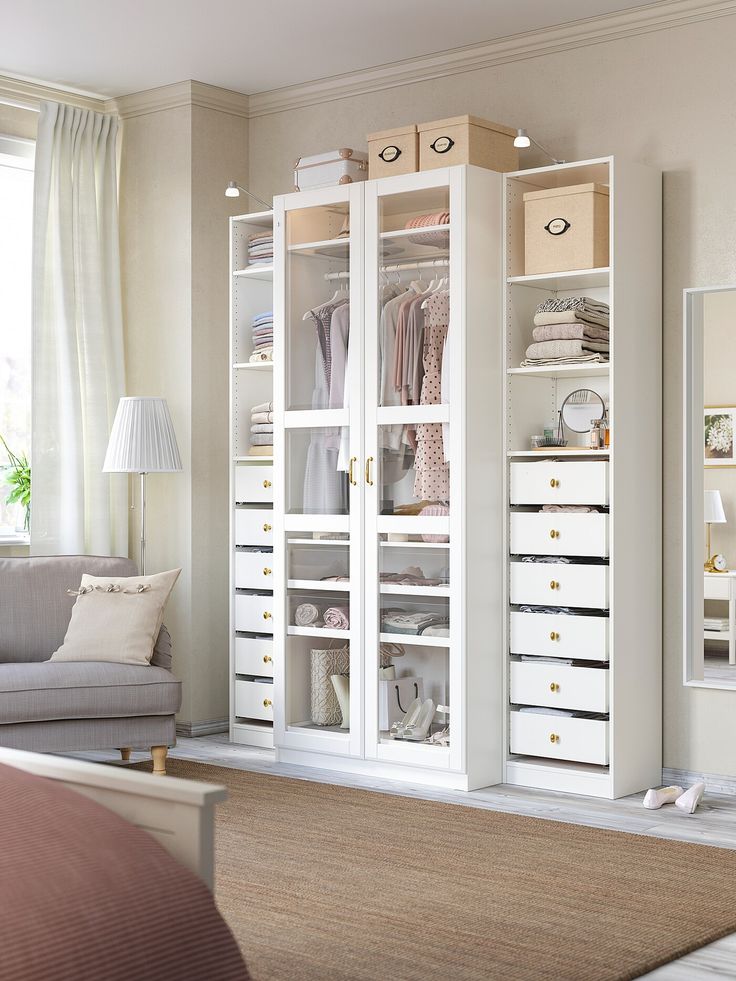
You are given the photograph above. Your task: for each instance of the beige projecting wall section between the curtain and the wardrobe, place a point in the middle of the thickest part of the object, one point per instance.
(175, 164)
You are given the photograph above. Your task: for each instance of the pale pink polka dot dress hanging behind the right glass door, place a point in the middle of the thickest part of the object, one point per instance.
(432, 478)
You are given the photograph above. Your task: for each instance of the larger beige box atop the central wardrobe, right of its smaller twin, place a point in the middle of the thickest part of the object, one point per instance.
(467, 139)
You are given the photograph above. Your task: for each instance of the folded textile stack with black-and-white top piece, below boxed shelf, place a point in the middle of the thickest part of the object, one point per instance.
(570, 331)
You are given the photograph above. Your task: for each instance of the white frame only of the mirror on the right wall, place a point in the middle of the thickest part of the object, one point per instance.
(692, 488)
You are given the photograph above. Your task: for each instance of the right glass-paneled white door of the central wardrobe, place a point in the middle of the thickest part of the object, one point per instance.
(411, 334)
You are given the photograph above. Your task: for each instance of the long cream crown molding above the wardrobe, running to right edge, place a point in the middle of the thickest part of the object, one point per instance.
(518, 47)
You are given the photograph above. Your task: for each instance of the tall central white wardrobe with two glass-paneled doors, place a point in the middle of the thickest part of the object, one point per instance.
(355, 463)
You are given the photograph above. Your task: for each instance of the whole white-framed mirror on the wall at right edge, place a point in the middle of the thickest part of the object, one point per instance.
(709, 492)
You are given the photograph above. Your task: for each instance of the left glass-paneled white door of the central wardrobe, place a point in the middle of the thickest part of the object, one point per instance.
(317, 449)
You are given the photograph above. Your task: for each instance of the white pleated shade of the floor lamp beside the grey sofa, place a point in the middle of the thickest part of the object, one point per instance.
(142, 439)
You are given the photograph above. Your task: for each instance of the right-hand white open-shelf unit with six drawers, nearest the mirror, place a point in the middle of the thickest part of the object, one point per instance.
(609, 592)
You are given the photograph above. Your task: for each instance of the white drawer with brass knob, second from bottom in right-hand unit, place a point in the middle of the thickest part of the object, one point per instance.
(559, 686)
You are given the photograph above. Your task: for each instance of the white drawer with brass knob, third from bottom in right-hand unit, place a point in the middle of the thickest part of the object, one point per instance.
(558, 635)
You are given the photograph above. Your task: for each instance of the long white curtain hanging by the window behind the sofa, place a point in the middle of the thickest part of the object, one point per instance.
(78, 358)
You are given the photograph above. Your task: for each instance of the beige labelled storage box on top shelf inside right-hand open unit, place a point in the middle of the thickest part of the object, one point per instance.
(566, 228)
